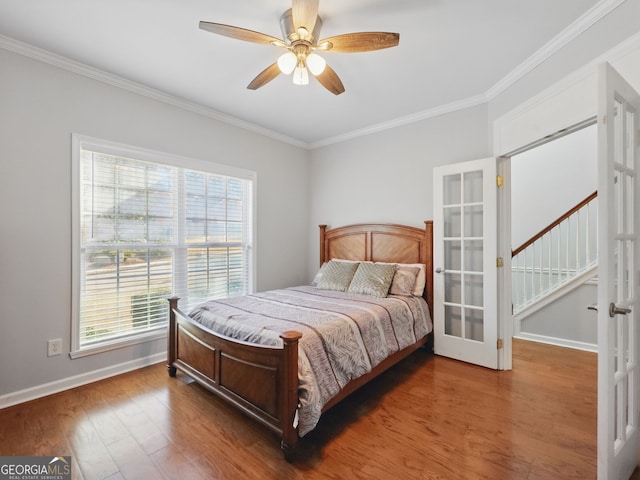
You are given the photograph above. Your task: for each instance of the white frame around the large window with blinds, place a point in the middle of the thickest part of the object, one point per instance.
(82, 142)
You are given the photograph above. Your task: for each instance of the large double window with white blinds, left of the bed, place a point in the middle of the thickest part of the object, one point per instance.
(147, 226)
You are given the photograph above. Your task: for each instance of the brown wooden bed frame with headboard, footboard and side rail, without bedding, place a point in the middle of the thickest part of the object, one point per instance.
(262, 381)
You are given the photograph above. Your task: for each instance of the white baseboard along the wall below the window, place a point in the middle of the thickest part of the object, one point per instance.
(50, 388)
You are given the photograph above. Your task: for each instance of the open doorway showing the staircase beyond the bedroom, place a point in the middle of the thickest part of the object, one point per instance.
(554, 272)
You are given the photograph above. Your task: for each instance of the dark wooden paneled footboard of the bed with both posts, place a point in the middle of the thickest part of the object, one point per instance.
(261, 381)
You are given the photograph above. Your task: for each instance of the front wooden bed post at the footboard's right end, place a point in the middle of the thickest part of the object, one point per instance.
(290, 406)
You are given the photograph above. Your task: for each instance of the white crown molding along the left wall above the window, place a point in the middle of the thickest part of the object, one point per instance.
(73, 66)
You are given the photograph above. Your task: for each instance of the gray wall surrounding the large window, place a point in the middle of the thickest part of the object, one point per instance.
(40, 107)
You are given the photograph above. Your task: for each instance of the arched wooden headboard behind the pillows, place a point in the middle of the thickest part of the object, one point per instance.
(381, 243)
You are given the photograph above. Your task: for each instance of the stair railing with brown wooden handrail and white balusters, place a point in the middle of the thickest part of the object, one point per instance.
(556, 260)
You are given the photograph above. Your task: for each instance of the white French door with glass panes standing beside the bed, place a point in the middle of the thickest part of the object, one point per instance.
(465, 246)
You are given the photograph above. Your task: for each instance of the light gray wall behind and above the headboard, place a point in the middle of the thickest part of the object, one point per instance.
(387, 177)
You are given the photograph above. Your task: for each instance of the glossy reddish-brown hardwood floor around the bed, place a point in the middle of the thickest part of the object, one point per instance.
(426, 418)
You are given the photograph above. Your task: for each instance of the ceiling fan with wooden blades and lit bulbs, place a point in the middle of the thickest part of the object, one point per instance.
(301, 29)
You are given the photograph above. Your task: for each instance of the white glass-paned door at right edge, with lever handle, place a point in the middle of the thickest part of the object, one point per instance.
(618, 266)
